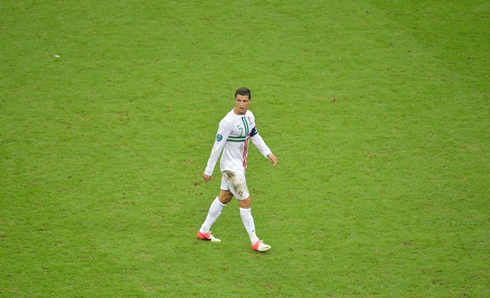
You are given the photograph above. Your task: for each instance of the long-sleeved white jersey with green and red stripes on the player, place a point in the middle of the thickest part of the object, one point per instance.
(233, 135)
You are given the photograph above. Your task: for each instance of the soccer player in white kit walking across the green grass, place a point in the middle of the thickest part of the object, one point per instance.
(234, 133)
